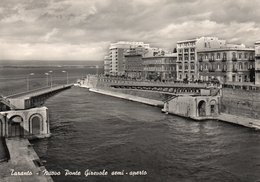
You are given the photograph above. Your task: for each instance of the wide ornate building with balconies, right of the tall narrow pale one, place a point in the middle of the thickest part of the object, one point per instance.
(227, 64)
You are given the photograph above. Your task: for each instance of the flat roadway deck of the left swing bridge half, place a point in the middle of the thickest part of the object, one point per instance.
(37, 92)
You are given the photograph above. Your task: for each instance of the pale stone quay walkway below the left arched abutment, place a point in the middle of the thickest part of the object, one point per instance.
(22, 157)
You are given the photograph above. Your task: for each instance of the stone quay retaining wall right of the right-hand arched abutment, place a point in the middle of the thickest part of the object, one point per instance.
(240, 102)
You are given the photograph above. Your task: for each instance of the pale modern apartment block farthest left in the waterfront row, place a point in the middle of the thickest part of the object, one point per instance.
(116, 56)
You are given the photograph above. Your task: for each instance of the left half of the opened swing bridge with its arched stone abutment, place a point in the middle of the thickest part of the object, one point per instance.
(22, 114)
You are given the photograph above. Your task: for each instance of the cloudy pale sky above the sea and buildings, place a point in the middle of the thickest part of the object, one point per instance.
(83, 29)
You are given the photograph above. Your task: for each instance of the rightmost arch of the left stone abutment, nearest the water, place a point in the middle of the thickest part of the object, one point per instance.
(35, 124)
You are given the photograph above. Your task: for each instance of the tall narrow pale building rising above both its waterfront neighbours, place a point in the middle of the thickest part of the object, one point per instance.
(187, 63)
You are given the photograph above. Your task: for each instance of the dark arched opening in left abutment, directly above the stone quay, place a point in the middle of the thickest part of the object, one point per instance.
(14, 126)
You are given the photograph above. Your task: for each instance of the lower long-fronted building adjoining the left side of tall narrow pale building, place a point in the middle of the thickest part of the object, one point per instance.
(161, 67)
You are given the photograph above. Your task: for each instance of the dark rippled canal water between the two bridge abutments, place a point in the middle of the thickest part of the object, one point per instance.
(97, 132)
